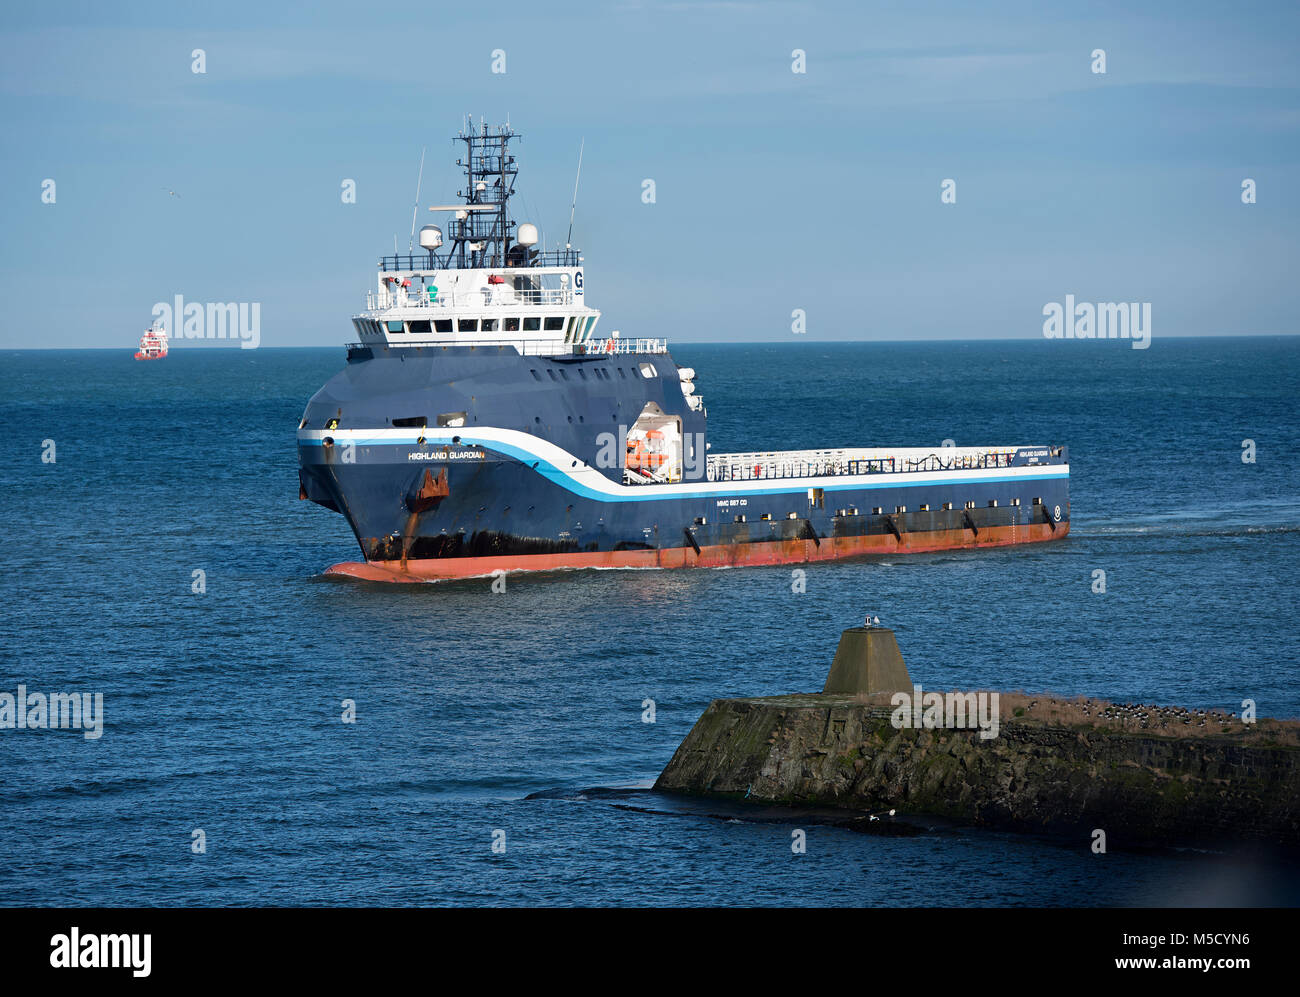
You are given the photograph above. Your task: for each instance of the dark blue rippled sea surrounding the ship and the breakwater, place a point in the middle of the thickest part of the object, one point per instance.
(523, 712)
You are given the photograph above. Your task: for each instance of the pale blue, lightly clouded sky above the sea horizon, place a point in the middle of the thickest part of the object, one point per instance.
(774, 190)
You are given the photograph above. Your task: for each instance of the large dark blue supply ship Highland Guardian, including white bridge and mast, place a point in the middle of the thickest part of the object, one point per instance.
(484, 422)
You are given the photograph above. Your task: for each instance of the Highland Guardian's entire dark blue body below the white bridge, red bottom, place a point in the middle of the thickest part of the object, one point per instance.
(530, 478)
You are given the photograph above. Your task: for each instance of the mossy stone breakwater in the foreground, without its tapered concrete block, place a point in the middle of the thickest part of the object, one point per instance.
(1055, 766)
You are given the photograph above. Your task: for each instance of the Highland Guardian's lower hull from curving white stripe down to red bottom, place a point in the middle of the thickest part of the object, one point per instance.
(426, 508)
